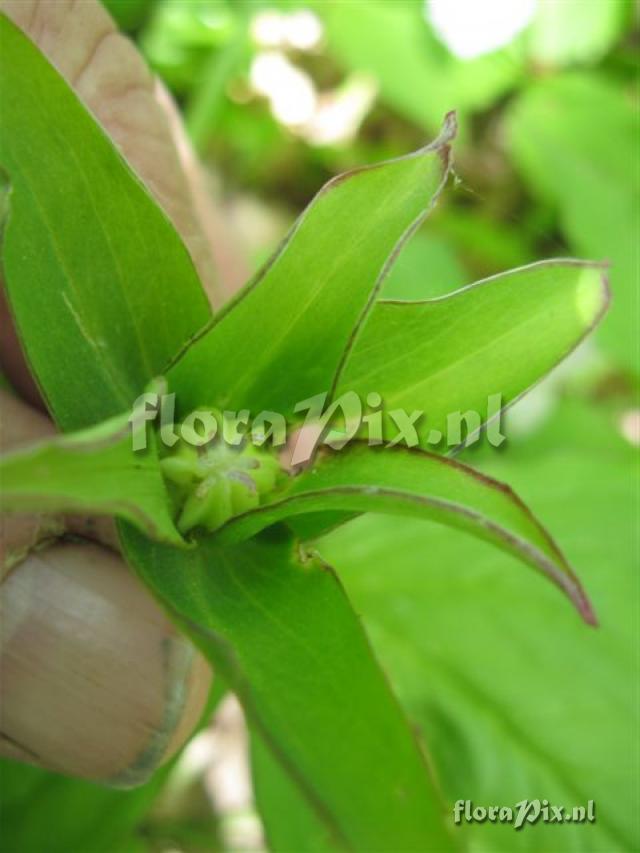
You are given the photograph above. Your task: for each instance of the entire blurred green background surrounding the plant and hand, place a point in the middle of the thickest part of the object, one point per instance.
(514, 698)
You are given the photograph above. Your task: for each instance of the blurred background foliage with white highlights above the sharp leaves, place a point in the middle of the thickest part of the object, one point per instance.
(279, 97)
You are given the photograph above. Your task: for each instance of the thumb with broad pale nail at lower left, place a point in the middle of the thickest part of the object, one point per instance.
(96, 682)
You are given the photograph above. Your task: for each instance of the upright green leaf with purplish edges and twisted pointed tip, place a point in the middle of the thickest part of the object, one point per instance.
(284, 338)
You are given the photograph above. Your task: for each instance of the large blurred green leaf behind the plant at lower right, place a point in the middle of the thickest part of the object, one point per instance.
(518, 702)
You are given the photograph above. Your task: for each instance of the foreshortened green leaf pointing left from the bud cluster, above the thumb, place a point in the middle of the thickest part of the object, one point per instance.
(91, 471)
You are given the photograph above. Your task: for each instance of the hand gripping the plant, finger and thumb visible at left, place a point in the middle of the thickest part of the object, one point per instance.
(96, 681)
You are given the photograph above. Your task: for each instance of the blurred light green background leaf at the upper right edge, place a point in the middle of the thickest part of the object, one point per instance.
(575, 139)
